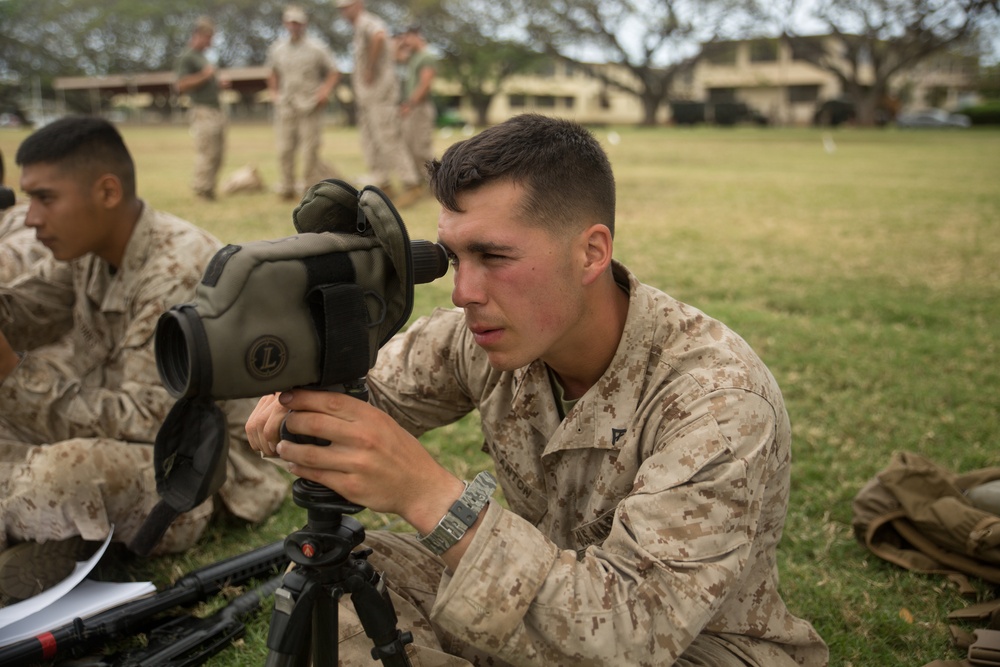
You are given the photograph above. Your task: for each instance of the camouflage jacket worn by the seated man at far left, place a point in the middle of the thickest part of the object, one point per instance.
(101, 378)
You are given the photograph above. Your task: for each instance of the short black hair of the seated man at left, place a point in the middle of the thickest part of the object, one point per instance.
(88, 145)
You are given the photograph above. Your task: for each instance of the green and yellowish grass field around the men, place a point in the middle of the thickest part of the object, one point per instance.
(863, 266)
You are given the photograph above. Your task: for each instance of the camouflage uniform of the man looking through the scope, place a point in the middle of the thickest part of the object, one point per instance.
(642, 528)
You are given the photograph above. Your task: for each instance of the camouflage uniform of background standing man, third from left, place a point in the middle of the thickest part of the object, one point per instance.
(378, 108)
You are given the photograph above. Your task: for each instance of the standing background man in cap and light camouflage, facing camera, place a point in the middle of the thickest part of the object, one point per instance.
(302, 77)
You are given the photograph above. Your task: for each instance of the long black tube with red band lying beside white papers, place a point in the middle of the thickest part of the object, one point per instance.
(128, 619)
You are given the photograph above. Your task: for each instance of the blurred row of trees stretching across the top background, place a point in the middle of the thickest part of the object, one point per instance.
(482, 42)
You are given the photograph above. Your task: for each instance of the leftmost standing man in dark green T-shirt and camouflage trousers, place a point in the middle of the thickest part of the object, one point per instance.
(197, 78)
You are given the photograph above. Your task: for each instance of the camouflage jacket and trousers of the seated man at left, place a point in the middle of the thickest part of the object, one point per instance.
(79, 413)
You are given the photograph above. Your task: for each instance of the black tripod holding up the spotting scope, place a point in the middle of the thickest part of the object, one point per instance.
(305, 607)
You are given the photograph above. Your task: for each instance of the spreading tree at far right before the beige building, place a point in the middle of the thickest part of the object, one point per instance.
(870, 41)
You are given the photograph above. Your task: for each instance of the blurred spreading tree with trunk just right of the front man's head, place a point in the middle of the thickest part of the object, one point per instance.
(655, 40)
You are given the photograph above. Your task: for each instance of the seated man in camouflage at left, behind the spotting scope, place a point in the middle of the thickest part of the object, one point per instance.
(80, 397)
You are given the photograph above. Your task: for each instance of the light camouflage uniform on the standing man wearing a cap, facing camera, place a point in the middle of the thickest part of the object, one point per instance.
(301, 67)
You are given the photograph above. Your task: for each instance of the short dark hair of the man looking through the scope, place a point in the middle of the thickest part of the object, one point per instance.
(566, 174)
